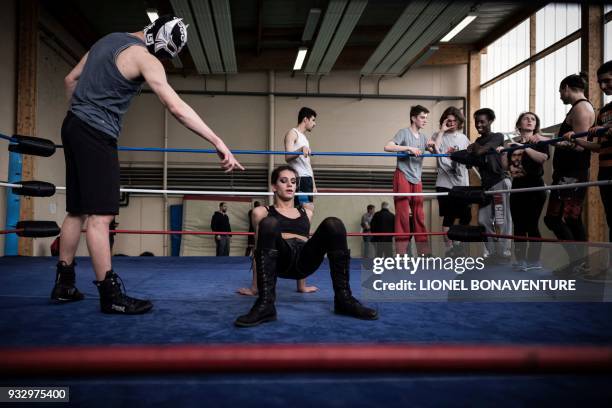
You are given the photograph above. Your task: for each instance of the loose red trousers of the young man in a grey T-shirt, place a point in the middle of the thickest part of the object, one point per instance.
(403, 222)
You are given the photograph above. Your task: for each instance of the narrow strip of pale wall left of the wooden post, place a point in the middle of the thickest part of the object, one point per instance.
(7, 95)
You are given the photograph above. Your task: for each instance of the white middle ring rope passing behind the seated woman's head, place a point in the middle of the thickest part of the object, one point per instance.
(342, 194)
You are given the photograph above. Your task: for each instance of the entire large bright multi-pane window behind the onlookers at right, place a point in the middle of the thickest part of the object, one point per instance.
(505, 67)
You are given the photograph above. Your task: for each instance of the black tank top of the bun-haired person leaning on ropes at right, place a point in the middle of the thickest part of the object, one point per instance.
(569, 162)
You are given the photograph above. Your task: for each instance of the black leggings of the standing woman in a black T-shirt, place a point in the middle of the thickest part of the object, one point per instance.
(526, 209)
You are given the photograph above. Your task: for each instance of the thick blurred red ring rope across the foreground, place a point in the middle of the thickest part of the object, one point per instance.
(303, 357)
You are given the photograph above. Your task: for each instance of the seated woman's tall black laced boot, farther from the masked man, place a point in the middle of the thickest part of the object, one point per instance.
(344, 302)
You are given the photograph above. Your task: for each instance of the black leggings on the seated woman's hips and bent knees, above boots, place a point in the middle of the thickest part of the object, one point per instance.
(298, 259)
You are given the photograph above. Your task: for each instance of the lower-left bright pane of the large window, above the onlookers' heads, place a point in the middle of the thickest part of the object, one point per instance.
(508, 98)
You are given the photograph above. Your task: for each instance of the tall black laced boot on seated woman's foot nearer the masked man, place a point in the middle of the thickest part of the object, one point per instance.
(263, 310)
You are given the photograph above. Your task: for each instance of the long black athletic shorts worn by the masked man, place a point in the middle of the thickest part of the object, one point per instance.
(92, 169)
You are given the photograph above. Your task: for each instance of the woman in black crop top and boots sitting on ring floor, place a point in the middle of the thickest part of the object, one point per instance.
(282, 249)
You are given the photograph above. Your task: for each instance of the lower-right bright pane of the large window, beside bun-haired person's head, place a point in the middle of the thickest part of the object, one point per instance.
(550, 71)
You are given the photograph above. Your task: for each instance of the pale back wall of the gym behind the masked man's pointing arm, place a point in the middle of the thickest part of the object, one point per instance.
(242, 121)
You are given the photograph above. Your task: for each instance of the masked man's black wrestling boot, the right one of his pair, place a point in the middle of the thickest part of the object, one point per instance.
(114, 300)
